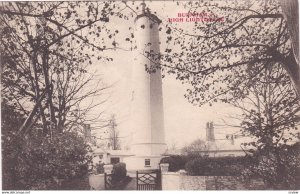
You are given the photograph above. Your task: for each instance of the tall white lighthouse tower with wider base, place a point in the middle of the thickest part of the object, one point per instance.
(147, 118)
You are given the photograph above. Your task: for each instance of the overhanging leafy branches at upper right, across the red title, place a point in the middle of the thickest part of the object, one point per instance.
(213, 57)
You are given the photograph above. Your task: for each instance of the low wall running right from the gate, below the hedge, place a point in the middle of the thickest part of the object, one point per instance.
(176, 181)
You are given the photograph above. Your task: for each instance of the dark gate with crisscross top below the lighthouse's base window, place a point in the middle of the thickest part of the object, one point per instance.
(148, 180)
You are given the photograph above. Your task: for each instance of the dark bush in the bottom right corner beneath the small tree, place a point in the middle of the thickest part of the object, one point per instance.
(278, 167)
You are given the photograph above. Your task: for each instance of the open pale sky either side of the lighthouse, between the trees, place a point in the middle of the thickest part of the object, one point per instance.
(183, 122)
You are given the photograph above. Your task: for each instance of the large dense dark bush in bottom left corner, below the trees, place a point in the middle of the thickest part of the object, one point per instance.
(41, 162)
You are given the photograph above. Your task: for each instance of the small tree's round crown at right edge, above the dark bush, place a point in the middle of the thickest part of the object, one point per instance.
(270, 108)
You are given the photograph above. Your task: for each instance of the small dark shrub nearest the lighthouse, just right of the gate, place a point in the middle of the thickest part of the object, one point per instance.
(175, 162)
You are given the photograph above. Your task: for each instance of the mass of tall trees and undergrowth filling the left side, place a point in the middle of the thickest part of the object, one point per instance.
(46, 49)
